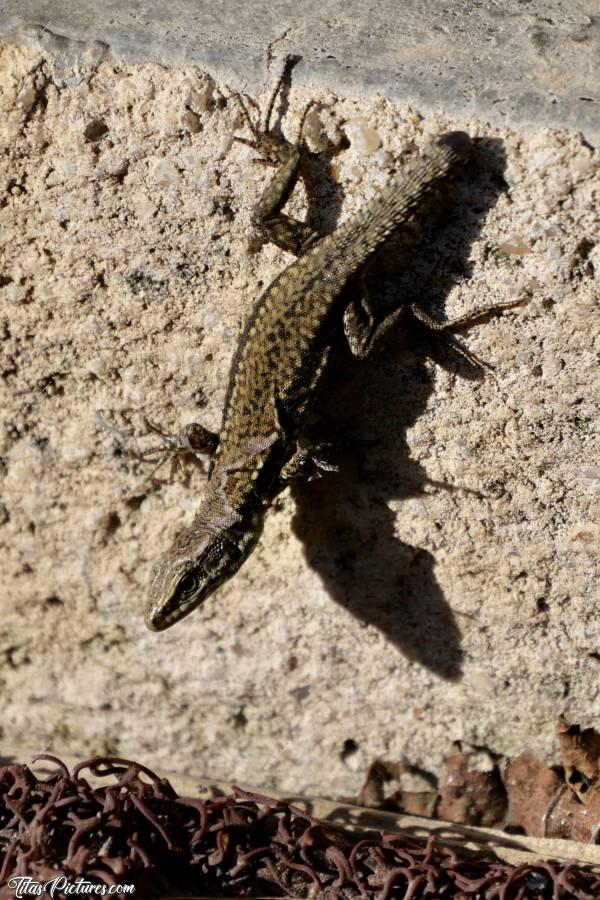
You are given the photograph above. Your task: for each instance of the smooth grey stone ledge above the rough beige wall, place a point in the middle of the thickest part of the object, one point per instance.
(509, 61)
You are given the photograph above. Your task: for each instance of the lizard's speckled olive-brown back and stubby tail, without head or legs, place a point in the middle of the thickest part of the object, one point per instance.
(287, 339)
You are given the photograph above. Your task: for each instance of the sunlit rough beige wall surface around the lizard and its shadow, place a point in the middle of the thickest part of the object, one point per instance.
(441, 586)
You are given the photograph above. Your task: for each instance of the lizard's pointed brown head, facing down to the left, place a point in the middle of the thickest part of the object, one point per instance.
(201, 558)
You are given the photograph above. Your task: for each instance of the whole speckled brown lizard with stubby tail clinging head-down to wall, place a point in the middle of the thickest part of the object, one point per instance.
(281, 356)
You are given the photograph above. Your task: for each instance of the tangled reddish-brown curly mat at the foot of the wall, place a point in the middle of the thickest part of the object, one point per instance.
(137, 830)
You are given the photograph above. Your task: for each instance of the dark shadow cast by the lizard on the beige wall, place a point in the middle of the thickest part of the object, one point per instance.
(343, 519)
